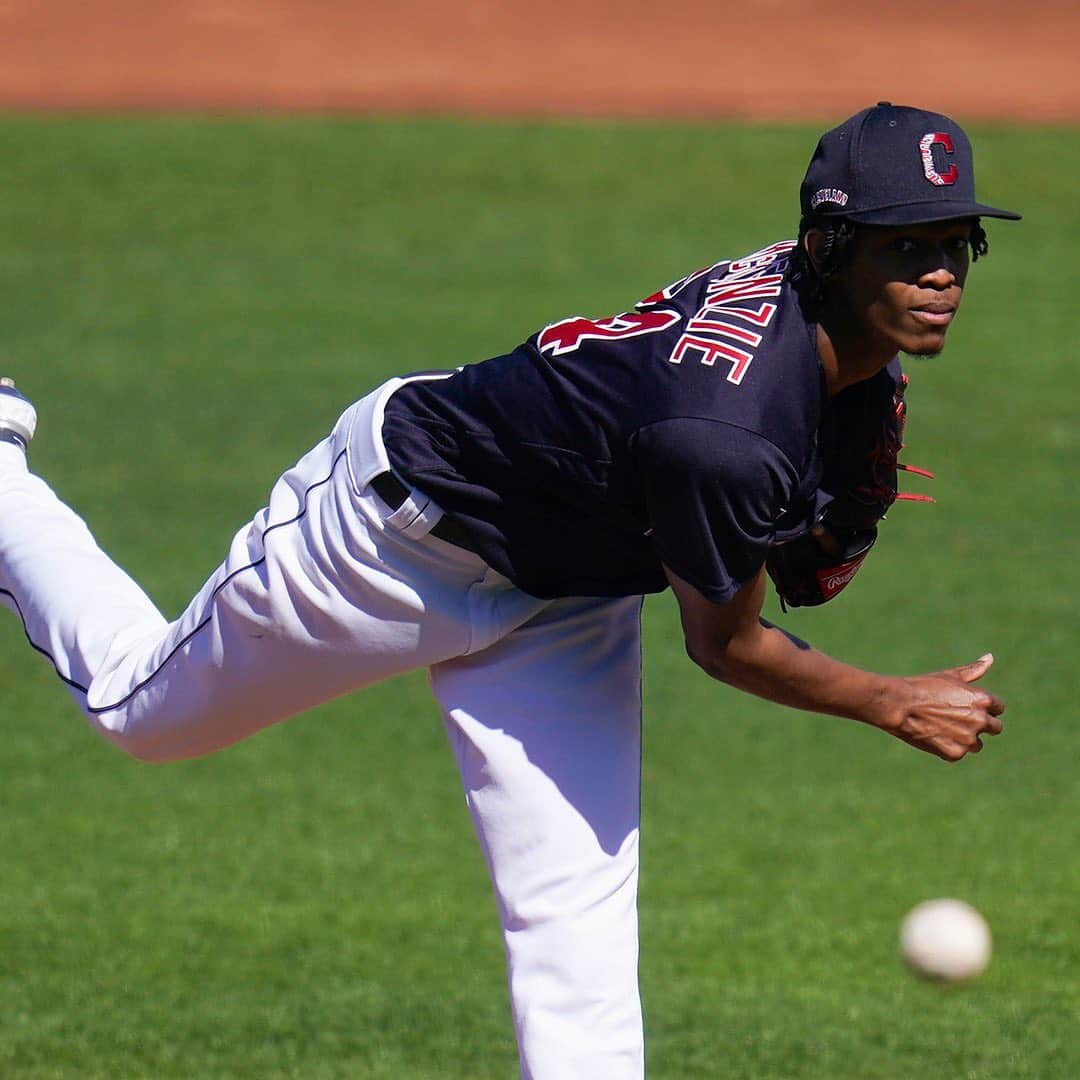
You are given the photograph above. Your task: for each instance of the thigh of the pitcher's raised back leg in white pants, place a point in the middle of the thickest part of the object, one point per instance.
(318, 597)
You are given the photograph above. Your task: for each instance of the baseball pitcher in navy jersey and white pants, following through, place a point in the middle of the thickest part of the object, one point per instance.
(499, 523)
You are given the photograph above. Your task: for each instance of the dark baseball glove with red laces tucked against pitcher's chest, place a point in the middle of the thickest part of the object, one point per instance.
(860, 481)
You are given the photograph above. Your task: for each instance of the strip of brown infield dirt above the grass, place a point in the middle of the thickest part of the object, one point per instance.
(760, 59)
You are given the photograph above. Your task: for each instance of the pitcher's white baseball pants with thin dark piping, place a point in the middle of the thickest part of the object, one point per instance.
(328, 591)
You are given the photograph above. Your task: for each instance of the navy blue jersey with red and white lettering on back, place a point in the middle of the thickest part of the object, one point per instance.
(684, 433)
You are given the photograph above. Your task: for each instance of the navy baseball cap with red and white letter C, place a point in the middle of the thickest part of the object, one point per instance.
(893, 165)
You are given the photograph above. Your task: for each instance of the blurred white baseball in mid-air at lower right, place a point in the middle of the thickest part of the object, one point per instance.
(947, 940)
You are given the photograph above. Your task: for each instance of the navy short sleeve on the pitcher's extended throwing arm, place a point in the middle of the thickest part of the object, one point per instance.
(713, 493)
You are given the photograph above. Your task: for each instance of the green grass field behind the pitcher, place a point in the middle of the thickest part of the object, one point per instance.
(193, 303)
